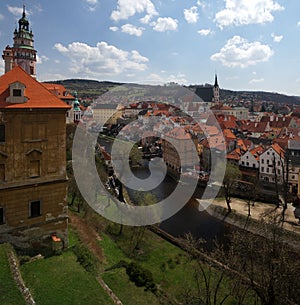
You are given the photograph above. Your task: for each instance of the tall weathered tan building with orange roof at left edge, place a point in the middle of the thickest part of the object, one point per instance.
(33, 180)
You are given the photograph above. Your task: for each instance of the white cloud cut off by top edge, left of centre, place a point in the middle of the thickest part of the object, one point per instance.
(128, 8)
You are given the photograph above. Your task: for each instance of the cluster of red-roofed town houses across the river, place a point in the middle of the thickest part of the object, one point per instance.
(265, 147)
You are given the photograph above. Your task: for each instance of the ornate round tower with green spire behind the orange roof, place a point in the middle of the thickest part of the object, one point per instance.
(22, 53)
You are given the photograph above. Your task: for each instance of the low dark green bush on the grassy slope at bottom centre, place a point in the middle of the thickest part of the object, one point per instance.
(141, 277)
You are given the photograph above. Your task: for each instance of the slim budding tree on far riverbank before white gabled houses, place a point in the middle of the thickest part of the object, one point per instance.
(232, 173)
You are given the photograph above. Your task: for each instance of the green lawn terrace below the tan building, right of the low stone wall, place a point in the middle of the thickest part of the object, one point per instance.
(62, 280)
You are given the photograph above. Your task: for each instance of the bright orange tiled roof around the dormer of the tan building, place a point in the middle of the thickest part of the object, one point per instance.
(38, 96)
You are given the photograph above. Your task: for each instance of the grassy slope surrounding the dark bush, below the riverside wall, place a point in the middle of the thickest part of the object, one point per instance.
(172, 270)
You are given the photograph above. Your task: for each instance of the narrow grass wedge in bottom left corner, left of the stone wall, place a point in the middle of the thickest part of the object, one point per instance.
(9, 292)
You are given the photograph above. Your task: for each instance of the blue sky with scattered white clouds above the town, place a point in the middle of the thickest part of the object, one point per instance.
(251, 44)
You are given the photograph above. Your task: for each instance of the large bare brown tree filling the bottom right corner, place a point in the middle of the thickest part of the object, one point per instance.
(265, 261)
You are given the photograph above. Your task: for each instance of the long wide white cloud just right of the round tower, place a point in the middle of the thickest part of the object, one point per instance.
(101, 60)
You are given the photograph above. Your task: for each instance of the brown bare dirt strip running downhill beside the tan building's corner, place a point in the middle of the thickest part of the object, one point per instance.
(88, 235)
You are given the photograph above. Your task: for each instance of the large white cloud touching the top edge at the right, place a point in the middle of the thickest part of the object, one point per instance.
(242, 12)
